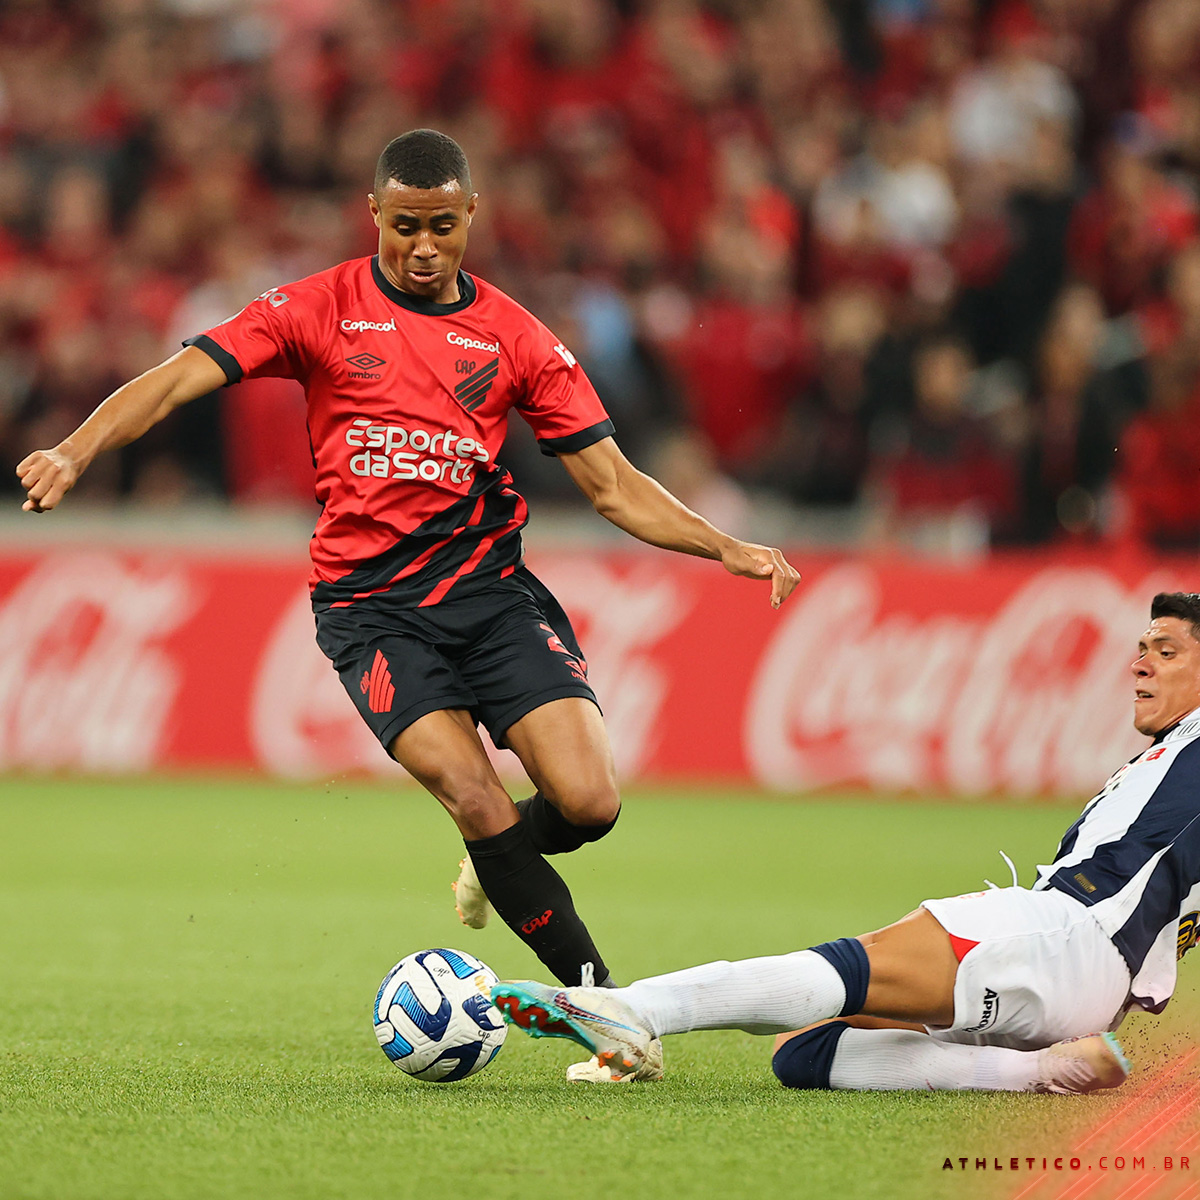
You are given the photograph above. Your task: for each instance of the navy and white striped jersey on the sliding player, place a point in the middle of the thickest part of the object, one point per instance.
(1133, 857)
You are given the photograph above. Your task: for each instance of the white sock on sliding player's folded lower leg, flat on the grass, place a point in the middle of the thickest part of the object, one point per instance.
(885, 1060)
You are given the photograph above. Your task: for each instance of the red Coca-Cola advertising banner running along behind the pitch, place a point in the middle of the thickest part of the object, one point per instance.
(1007, 676)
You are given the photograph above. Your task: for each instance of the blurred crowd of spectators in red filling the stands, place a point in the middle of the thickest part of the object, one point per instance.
(937, 262)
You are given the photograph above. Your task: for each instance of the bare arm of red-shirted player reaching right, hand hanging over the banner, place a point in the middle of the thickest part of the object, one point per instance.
(643, 507)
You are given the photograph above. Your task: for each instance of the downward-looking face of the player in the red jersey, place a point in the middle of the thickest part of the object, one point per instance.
(423, 236)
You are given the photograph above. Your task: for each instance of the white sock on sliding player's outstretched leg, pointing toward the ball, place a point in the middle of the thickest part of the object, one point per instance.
(773, 995)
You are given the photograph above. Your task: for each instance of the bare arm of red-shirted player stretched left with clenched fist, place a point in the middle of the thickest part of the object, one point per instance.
(47, 476)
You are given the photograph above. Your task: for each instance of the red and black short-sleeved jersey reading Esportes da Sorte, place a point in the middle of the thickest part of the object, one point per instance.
(409, 405)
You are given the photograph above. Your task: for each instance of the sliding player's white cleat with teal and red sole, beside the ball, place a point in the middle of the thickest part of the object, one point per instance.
(592, 1017)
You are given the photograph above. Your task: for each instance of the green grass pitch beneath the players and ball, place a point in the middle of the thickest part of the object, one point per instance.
(189, 970)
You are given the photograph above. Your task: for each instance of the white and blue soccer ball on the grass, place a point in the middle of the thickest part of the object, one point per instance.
(435, 1018)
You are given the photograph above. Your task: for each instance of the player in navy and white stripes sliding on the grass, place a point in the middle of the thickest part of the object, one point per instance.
(1011, 989)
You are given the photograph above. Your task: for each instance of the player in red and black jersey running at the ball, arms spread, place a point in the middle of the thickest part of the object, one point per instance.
(411, 368)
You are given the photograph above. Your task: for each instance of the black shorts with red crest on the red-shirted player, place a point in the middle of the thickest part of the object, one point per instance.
(500, 652)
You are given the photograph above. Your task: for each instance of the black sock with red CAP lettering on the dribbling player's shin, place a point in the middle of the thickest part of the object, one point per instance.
(536, 904)
